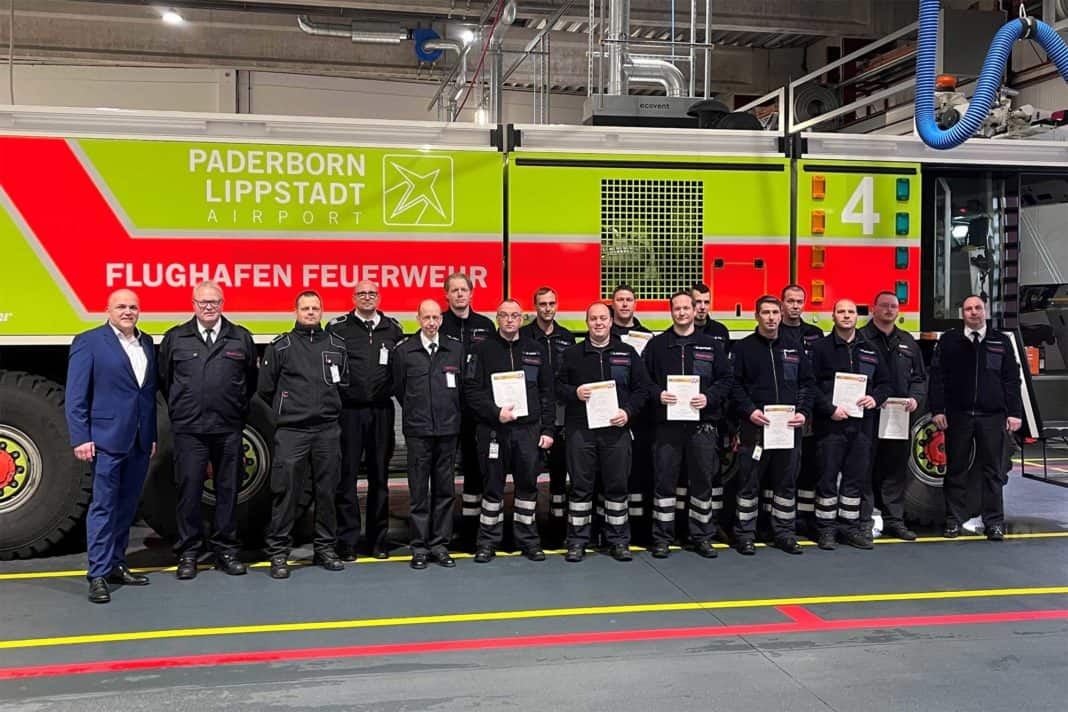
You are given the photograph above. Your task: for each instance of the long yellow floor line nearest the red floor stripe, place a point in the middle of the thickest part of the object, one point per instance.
(521, 615)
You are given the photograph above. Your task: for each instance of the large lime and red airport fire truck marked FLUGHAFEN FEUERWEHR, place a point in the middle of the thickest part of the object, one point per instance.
(268, 207)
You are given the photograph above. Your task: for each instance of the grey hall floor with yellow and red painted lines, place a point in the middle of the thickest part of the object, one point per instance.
(935, 625)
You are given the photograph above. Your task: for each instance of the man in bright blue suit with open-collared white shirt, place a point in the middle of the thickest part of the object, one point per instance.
(112, 416)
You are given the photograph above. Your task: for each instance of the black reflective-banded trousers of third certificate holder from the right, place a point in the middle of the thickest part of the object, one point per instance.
(775, 478)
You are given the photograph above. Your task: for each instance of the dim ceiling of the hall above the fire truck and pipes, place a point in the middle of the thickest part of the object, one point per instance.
(758, 42)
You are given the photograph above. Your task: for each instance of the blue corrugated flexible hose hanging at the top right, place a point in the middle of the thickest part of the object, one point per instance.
(986, 90)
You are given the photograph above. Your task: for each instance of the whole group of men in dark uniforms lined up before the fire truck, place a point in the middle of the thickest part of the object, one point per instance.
(649, 472)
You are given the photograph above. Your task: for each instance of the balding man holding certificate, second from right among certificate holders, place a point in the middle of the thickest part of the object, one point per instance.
(845, 429)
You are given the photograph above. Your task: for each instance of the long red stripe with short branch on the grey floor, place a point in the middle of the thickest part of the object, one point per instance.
(805, 623)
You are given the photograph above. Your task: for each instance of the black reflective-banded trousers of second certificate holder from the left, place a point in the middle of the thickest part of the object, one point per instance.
(599, 457)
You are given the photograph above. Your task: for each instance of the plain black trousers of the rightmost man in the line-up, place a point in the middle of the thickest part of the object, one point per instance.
(988, 433)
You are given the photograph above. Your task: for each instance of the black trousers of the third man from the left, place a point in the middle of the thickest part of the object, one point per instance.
(294, 451)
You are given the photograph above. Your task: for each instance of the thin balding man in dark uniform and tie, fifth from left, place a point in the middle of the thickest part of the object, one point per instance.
(427, 371)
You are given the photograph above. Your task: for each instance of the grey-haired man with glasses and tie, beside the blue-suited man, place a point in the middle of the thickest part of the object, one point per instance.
(208, 374)
